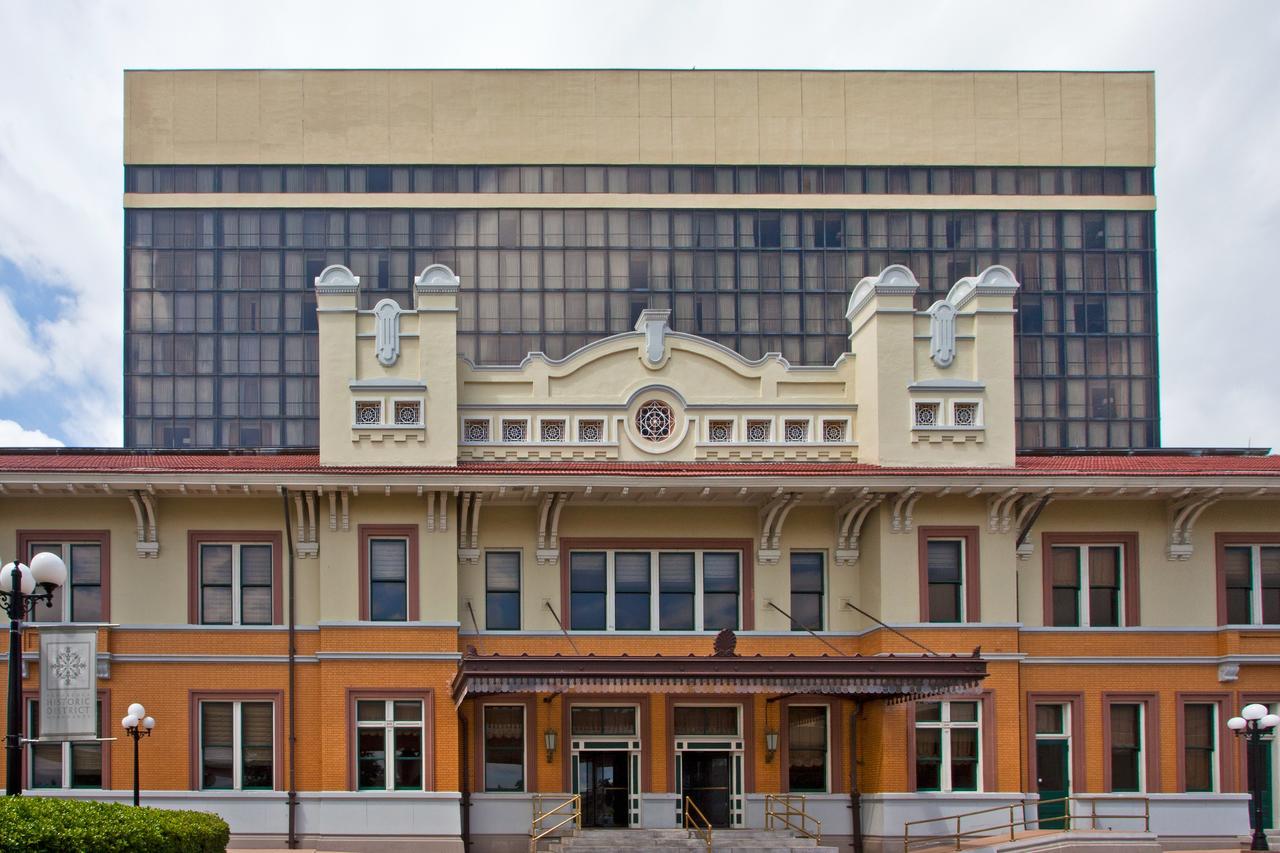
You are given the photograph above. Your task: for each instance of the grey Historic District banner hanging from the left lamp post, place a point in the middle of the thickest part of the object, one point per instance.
(68, 683)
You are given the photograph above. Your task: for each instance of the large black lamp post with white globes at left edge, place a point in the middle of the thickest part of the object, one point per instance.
(20, 600)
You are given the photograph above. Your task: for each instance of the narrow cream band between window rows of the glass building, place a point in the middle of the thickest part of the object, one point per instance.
(633, 202)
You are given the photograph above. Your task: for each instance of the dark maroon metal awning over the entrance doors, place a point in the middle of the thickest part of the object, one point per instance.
(886, 677)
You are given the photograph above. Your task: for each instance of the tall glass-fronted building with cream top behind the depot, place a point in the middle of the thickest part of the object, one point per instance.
(748, 204)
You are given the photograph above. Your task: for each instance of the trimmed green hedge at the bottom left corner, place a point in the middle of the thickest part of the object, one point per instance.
(48, 825)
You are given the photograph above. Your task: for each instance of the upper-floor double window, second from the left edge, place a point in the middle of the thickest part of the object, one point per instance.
(236, 585)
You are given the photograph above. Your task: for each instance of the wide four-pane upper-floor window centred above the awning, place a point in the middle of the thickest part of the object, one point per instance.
(642, 591)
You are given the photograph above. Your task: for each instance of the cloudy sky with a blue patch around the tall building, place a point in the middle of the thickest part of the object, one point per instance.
(1218, 174)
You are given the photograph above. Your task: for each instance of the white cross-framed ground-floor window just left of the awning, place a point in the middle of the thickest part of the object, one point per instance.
(390, 743)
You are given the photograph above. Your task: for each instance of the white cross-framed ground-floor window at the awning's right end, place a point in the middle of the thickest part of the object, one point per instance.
(948, 752)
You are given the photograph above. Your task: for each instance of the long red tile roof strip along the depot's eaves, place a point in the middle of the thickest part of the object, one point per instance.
(309, 463)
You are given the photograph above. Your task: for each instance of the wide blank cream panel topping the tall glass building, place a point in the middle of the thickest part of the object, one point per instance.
(639, 117)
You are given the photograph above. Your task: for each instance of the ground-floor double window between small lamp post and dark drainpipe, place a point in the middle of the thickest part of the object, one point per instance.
(237, 746)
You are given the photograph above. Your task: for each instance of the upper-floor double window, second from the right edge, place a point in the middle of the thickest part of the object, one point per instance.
(1087, 586)
